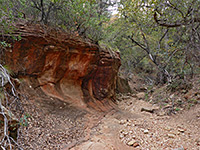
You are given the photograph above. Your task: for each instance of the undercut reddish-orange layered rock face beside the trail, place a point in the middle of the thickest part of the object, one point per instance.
(64, 66)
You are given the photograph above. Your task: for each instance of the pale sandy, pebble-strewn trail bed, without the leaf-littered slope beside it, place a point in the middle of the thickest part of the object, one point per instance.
(145, 130)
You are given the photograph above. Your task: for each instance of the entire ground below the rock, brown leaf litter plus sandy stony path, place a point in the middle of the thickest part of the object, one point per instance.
(57, 125)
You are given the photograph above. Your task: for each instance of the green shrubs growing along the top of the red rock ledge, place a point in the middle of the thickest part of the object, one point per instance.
(83, 17)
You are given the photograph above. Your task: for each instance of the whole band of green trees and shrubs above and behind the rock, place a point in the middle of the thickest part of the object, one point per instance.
(155, 36)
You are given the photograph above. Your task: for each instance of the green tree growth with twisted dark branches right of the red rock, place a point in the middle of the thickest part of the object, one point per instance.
(162, 31)
